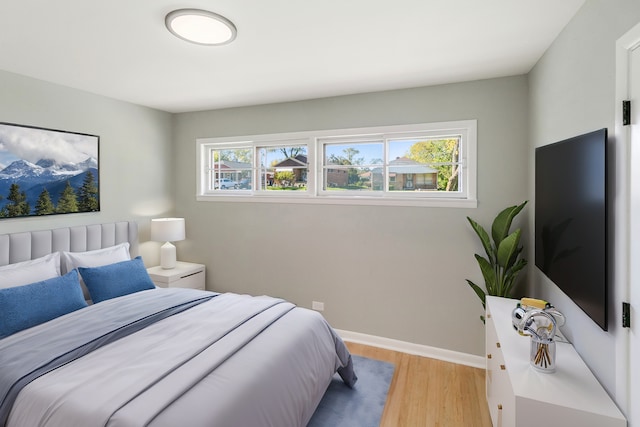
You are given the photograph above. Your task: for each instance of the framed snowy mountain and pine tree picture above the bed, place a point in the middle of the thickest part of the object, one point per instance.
(47, 171)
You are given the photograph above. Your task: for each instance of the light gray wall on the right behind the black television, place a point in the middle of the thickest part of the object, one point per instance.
(572, 91)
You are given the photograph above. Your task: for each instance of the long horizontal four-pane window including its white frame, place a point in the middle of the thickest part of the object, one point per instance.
(412, 165)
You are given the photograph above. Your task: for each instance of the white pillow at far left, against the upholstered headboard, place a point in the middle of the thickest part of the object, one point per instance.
(27, 272)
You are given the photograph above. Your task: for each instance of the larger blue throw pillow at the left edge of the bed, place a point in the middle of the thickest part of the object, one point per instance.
(29, 305)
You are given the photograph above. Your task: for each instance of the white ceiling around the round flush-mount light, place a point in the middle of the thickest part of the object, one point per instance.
(285, 50)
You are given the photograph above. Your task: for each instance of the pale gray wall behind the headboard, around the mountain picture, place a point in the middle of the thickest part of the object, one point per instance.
(135, 152)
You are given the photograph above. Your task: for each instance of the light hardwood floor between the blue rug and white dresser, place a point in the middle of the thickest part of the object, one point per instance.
(427, 392)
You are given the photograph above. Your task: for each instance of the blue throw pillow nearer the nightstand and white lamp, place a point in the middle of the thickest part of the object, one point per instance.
(116, 280)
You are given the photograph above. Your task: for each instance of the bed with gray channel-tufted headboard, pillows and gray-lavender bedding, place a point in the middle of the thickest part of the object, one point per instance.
(117, 351)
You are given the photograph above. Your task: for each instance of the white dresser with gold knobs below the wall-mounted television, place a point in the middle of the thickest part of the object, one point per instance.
(520, 396)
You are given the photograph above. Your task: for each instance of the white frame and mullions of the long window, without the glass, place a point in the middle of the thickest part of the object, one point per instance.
(315, 141)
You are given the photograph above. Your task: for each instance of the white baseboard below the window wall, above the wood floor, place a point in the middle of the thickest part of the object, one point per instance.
(416, 349)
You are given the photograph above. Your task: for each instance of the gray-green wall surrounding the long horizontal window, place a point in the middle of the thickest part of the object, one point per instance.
(396, 272)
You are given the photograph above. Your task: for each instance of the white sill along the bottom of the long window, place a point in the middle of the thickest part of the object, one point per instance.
(352, 200)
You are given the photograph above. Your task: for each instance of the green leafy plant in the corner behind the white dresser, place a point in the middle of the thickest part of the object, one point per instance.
(503, 261)
